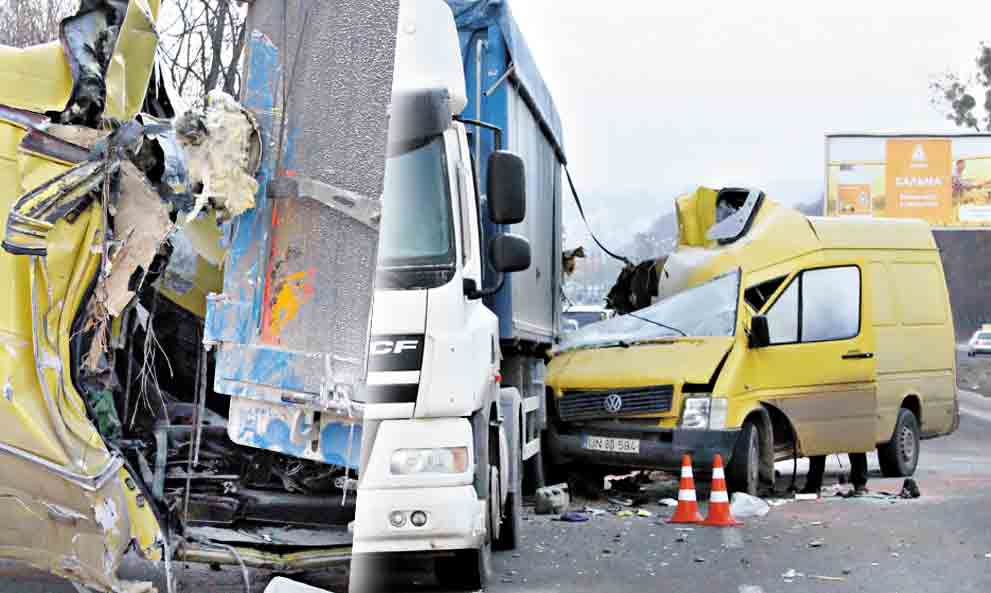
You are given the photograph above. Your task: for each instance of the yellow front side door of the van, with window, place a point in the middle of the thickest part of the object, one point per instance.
(819, 367)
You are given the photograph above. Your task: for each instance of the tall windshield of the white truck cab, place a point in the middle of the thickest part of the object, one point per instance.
(416, 212)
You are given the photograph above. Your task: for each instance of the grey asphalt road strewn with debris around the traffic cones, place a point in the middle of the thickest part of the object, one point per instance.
(939, 542)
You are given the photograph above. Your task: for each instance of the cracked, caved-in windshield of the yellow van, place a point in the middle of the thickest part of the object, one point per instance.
(705, 310)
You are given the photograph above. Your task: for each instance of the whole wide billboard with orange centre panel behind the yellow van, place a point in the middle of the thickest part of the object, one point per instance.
(942, 179)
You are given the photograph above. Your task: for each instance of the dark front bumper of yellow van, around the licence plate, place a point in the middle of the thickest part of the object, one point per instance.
(659, 449)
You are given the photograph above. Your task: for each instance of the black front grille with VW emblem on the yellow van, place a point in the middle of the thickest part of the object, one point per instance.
(579, 405)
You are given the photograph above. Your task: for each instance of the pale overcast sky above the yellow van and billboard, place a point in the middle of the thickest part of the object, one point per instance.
(655, 101)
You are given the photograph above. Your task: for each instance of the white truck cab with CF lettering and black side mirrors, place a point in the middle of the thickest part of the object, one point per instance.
(440, 467)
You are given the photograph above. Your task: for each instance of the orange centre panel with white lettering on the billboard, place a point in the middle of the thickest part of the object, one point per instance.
(918, 176)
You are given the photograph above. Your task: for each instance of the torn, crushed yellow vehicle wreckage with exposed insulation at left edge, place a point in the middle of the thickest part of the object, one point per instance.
(103, 190)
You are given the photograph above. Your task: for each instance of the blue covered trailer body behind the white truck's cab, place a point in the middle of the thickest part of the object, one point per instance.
(505, 89)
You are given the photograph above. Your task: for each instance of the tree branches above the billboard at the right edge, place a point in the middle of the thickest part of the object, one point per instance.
(966, 101)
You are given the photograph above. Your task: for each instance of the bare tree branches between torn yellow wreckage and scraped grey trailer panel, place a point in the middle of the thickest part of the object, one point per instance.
(202, 46)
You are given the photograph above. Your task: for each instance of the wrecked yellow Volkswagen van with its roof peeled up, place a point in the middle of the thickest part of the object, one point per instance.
(775, 334)
